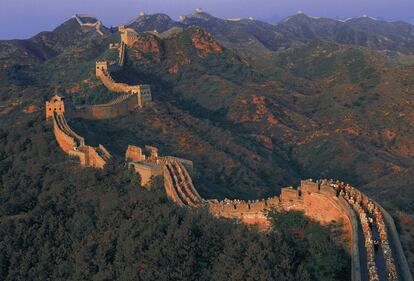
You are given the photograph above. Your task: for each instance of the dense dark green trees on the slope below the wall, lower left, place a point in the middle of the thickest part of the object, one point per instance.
(59, 221)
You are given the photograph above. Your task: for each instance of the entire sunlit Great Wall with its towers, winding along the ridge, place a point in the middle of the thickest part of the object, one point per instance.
(374, 244)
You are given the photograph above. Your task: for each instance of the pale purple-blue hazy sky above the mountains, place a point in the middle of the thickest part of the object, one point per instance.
(25, 18)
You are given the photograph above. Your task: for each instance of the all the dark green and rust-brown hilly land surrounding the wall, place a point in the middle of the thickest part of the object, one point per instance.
(254, 113)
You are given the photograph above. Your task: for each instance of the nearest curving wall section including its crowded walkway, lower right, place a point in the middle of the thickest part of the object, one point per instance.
(328, 201)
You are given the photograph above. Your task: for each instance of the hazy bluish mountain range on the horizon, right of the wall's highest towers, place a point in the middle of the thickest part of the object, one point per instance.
(298, 29)
